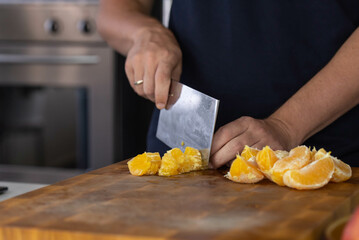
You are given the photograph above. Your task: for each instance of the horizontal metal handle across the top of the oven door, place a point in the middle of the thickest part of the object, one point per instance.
(48, 59)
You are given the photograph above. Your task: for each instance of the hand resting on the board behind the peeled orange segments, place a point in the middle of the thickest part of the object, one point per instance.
(231, 138)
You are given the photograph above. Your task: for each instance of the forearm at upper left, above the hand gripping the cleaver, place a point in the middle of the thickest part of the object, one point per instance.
(119, 21)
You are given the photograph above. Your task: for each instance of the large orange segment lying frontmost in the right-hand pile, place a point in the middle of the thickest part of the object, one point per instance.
(312, 176)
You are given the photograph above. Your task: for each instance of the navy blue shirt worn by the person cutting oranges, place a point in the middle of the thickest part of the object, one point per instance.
(254, 55)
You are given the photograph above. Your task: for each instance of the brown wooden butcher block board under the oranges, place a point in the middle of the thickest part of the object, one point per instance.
(110, 204)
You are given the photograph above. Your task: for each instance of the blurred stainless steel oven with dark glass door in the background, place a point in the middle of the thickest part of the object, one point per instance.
(56, 91)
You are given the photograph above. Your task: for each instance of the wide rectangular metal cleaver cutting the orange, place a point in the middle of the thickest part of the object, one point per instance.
(188, 120)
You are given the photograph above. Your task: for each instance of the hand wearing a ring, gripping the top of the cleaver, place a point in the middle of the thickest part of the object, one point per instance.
(155, 58)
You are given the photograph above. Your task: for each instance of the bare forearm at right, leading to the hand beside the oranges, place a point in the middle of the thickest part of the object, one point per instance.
(327, 96)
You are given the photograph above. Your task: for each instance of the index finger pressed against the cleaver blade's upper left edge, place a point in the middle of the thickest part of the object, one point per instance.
(162, 84)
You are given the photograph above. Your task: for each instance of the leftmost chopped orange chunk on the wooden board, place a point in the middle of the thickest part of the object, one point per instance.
(145, 164)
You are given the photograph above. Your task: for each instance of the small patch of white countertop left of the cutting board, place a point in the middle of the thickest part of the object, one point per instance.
(15, 189)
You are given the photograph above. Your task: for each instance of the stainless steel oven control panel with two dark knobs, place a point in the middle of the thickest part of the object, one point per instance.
(39, 20)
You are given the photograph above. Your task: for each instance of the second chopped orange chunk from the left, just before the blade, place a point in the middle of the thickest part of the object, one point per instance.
(171, 162)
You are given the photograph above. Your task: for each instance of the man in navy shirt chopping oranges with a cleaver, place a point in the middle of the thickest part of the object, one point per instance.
(286, 72)
